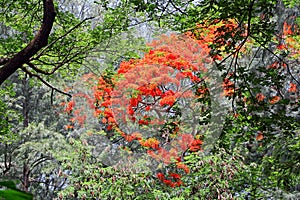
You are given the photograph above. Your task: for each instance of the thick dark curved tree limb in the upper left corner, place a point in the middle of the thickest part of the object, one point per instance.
(39, 41)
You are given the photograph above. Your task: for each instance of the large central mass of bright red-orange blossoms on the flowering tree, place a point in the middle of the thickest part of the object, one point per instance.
(154, 84)
